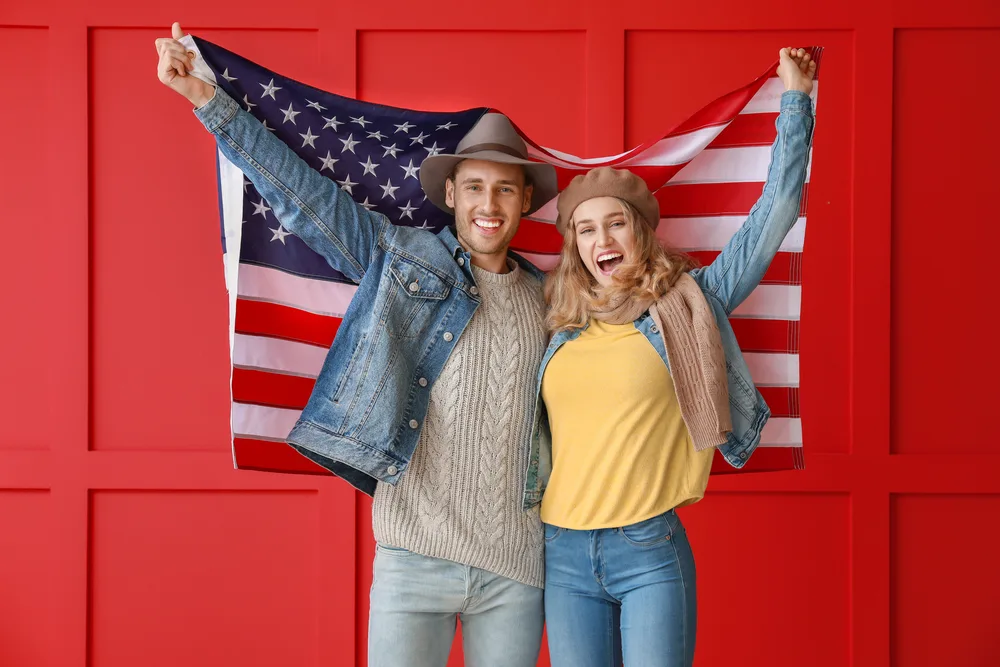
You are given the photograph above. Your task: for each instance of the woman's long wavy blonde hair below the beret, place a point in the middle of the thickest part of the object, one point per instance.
(573, 293)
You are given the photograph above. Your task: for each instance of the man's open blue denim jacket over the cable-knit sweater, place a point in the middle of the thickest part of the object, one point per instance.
(415, 296)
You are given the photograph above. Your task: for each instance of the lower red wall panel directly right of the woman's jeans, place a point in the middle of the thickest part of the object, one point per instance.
(779, 559)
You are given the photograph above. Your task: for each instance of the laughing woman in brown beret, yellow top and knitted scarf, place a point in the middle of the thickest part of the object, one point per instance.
(642, 380)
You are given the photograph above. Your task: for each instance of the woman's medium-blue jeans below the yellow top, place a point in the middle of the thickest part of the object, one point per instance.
(621, 593)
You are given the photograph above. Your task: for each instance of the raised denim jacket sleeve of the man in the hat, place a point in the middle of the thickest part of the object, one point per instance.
(307, 204)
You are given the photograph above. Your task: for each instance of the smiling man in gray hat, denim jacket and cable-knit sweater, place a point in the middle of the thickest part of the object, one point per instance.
(427, 397)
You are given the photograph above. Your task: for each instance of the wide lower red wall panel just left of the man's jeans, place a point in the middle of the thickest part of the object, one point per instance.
(204, 578)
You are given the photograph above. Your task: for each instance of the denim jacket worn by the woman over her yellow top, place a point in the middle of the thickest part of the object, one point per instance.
(726, 282)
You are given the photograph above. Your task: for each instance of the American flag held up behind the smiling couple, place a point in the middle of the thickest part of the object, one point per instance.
(286, 303)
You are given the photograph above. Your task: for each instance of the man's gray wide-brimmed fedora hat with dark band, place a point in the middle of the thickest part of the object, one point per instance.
(493, 139)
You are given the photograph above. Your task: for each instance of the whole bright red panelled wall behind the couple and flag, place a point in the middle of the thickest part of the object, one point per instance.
(127, 539)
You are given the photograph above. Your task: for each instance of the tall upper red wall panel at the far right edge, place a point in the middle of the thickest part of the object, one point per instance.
(944, 231)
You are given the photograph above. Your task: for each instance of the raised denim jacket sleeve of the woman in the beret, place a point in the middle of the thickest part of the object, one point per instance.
(741, 265)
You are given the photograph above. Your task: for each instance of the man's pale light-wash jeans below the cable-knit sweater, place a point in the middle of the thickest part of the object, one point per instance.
(415, 601)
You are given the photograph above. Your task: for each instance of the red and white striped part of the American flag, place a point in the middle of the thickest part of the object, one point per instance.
(706, 174)
